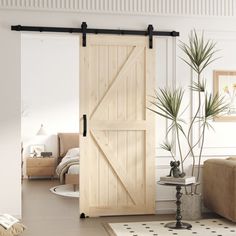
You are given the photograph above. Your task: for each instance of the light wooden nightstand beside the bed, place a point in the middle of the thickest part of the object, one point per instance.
(40, 166)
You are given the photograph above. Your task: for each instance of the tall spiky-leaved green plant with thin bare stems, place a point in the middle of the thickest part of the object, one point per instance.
(200, 53)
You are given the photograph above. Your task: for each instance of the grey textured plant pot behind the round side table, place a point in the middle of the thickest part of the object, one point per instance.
(191, 206)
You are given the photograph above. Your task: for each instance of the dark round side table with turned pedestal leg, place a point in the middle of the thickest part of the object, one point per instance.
(178, 224)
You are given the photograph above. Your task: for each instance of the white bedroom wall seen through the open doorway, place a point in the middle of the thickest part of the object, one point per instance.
(49, 88)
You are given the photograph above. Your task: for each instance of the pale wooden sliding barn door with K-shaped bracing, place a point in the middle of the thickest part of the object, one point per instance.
(117, 152)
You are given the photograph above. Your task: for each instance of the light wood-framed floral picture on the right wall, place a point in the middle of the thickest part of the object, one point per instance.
(225, 86)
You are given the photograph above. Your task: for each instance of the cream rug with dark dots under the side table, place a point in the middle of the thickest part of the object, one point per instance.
(205, 227)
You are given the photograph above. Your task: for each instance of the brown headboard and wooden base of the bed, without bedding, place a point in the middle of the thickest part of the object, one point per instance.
(65, 142)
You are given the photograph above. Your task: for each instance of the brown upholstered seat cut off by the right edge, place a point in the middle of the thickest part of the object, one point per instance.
(219, 187)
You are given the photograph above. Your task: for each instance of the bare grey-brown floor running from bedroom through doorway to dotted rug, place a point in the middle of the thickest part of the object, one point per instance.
(47, 214)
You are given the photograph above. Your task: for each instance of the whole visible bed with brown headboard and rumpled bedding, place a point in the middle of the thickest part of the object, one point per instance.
(68, 159)
